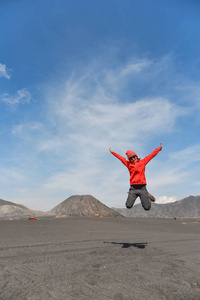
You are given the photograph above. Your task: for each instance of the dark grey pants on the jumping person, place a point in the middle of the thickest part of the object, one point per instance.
(138, 191)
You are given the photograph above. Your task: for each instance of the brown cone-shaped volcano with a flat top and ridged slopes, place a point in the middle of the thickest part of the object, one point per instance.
(84, 205)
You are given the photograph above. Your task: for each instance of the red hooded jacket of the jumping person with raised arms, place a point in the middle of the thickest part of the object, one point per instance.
(137, 169)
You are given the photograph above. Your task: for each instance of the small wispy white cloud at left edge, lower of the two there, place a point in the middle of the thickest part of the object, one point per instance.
(22, 96)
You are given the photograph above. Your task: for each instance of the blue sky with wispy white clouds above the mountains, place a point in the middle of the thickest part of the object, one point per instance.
(78, 77)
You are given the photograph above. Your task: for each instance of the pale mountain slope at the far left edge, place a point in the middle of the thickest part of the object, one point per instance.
(12, 211)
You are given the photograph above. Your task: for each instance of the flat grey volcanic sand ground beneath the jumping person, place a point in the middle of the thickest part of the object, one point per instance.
(100, 258)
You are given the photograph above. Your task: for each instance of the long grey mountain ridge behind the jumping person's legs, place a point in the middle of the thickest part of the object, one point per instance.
(188, 207)
